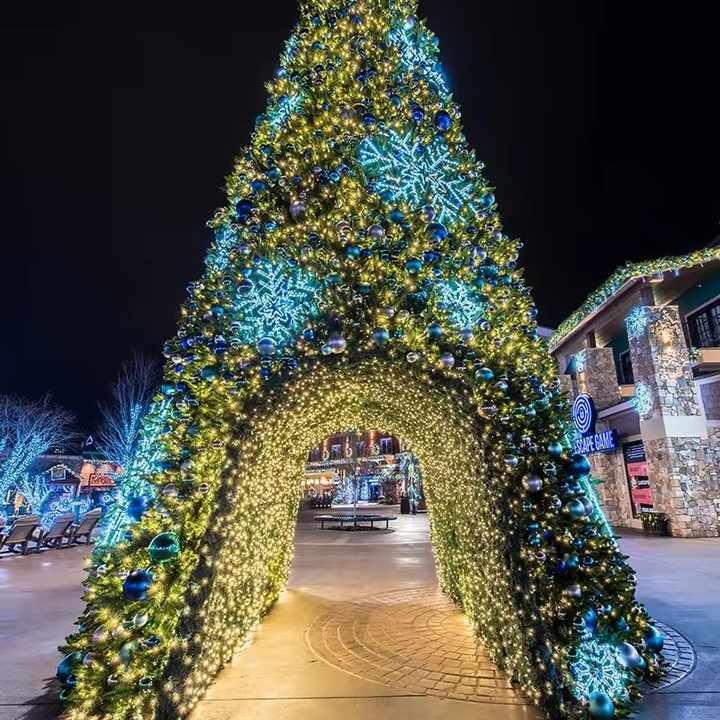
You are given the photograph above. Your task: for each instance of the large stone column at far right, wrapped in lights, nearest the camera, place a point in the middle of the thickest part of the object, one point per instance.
(682, 467)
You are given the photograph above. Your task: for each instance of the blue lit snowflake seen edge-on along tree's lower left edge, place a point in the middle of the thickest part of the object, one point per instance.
(134, 481)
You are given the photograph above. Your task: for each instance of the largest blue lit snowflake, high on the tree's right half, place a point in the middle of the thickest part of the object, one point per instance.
(404, 170)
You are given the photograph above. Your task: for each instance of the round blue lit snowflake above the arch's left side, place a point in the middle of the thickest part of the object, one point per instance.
(278, 301)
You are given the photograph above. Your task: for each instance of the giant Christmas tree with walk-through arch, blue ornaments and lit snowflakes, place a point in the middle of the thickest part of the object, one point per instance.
(360, 277)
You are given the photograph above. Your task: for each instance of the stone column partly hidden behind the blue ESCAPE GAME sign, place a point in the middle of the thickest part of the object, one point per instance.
(596, 376)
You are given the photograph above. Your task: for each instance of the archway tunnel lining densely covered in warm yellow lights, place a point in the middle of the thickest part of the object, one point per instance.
(249, 548)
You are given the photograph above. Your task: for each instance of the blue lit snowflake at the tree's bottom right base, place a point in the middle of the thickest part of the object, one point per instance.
(594, 668)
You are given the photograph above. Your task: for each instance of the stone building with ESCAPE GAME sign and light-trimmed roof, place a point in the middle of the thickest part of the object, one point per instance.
(641, 362)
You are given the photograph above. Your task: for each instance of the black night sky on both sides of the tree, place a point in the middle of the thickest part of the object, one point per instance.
(596, 122)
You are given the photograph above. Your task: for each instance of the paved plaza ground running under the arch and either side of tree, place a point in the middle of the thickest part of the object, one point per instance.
(359, 607)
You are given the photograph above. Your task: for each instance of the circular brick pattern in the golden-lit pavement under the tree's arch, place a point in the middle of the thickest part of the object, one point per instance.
(412, 640)
